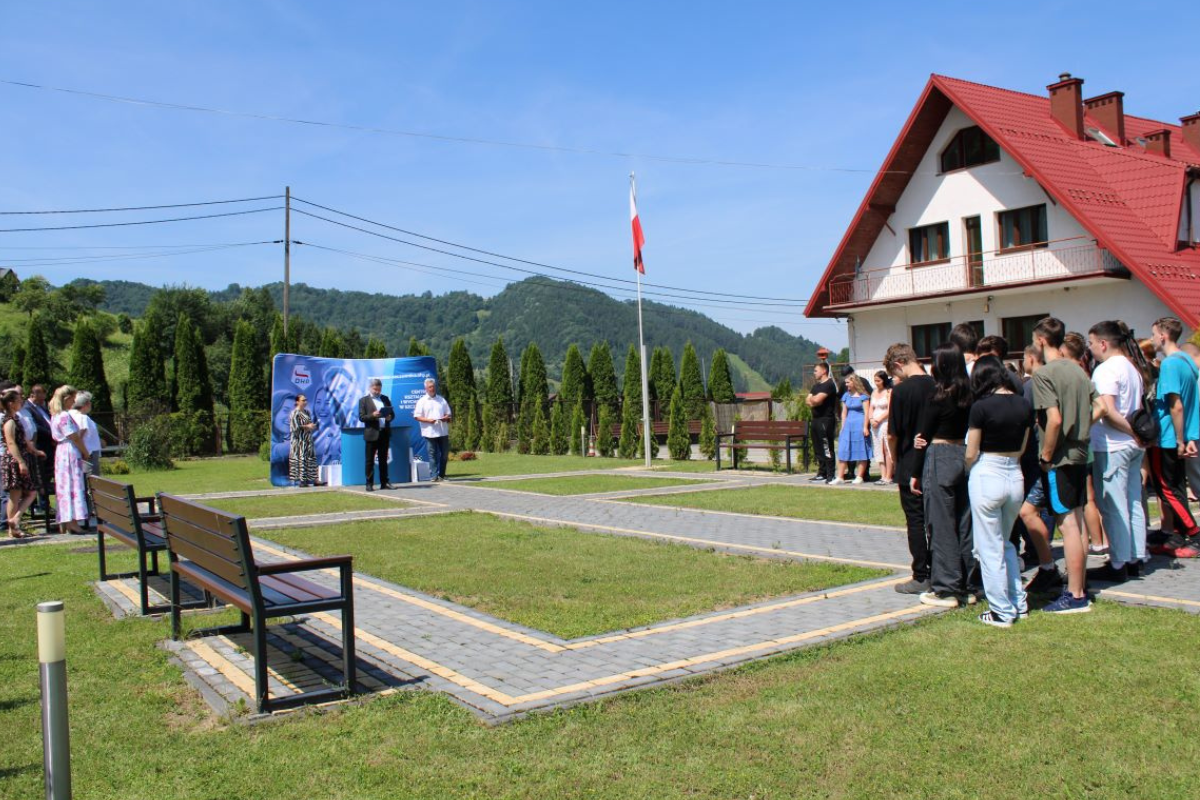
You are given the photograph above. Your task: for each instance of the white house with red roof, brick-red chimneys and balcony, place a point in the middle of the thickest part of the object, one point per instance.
(994, 207)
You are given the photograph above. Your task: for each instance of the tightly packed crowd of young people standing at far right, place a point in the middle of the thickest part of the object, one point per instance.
(988, 460)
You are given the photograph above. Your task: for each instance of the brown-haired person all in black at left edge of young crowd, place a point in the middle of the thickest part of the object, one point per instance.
(909, 400)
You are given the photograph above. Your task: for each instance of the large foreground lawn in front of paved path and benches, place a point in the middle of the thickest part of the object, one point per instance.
(914, 713)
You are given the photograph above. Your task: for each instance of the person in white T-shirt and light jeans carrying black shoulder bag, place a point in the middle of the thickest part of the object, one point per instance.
(1117, 470)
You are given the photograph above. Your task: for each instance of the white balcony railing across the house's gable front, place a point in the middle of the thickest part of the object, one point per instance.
(1053, 262)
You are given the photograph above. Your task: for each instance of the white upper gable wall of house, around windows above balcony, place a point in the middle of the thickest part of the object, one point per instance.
(981, 191)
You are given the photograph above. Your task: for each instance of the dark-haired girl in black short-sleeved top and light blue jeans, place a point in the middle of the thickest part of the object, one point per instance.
(998, 434)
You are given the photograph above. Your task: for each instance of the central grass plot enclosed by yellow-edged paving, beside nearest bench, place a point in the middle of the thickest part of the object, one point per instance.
(559, 580)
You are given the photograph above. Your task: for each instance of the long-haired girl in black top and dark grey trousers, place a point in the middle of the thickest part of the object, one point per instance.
(945, 480)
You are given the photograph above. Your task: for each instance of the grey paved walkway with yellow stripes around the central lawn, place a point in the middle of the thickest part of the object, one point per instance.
(502, 670)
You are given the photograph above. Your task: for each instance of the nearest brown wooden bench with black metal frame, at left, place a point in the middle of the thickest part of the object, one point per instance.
(212, 550)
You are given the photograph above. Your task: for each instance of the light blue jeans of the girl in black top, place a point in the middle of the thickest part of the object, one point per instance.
(997, 489)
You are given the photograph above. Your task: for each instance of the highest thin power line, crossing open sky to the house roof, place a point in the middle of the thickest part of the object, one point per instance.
(442, 137)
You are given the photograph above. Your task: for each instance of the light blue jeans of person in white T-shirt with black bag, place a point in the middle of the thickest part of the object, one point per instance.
(1118, 480)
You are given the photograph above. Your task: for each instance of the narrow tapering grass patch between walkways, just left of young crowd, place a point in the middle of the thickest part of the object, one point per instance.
(867, 507)
